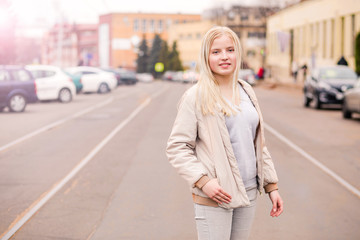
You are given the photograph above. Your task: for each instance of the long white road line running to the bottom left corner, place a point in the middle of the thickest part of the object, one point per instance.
(41, 202)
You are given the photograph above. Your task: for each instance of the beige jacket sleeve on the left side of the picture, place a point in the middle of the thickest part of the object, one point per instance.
(182, 141)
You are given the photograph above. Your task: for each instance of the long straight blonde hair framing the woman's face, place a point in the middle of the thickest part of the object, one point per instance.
(209, 95)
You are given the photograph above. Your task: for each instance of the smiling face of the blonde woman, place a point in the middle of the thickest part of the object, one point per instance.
(222, 57)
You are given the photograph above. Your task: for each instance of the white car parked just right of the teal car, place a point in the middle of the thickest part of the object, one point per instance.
(94, 79)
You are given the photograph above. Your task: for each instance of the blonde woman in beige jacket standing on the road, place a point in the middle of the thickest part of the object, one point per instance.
(217, 143)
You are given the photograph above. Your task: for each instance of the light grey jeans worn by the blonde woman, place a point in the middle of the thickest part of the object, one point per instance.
(216, 223)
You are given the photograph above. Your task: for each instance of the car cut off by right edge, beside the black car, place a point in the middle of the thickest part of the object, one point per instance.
(351, 102)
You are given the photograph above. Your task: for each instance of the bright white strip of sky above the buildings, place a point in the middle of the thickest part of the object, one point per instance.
(48, 12)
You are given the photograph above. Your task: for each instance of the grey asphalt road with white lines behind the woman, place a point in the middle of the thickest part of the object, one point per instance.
(96, 169)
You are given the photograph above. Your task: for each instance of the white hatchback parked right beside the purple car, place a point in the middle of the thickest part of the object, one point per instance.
(52, 83)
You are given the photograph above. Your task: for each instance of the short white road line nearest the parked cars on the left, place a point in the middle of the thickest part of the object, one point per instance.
(55, 124)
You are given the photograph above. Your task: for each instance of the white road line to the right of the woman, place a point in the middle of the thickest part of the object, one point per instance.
(325, 169)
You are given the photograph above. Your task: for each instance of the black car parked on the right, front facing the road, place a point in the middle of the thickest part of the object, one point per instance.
(327, 85)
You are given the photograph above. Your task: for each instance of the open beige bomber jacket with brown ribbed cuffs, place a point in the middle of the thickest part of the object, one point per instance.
(199, 148)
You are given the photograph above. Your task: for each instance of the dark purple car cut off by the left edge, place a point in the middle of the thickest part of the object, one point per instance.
(17, 88)
